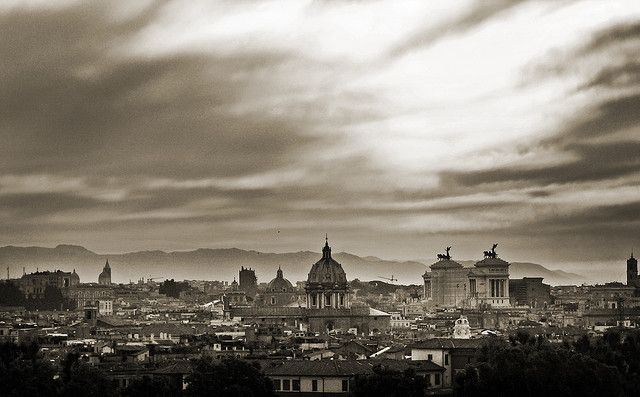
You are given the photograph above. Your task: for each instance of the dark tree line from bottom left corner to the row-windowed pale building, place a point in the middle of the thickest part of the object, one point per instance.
(24, 373)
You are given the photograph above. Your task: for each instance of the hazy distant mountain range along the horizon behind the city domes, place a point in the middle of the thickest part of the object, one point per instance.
(224, 263)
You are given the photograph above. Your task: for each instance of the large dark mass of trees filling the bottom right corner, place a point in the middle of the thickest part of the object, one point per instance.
(529, 366)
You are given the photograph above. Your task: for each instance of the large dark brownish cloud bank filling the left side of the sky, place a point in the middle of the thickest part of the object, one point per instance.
(70, 102)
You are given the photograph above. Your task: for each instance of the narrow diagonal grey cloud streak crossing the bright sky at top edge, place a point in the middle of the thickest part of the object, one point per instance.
(477, 14)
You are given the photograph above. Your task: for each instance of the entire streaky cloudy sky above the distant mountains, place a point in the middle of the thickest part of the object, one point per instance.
(396, 127)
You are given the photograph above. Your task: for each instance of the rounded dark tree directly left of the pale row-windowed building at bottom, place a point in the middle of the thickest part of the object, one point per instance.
(228, 378)
